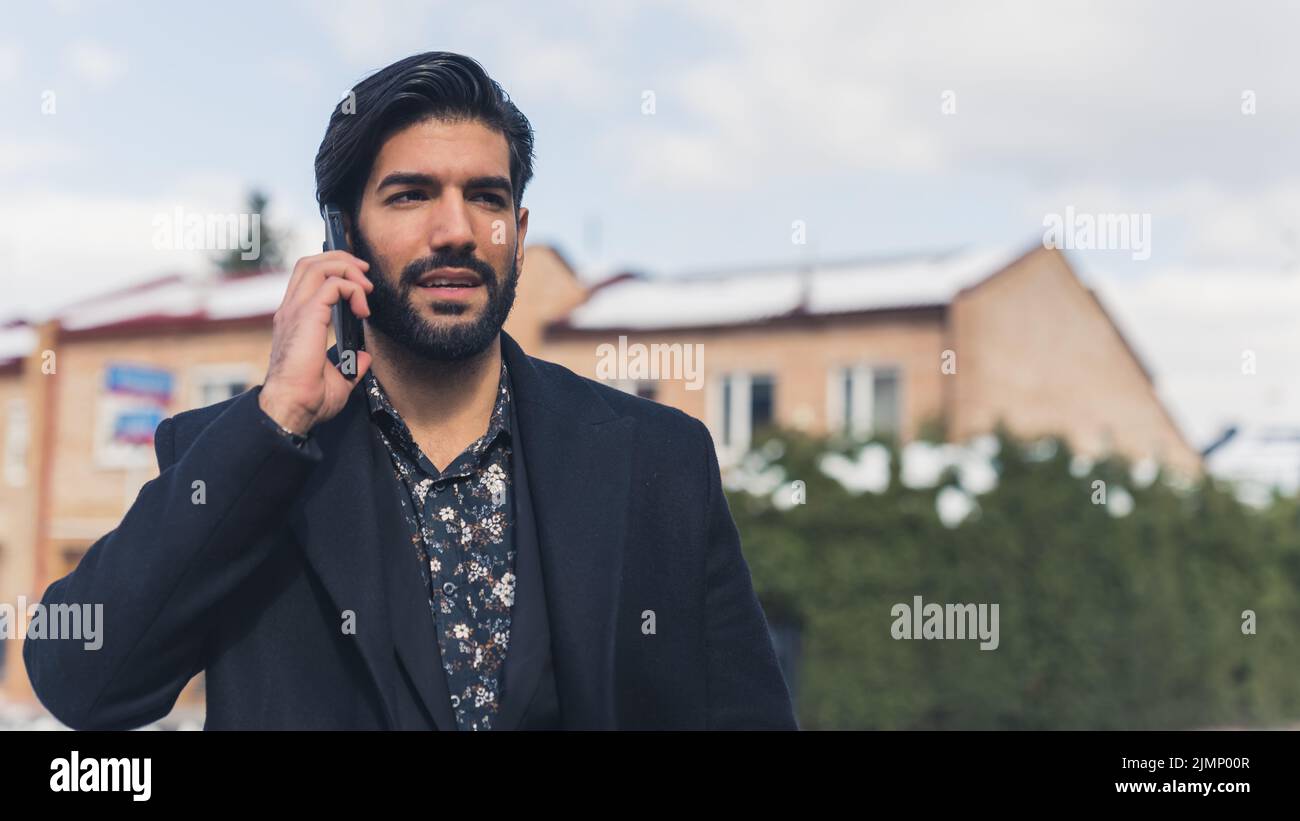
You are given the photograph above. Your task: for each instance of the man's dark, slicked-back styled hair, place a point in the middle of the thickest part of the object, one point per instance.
(441, 85)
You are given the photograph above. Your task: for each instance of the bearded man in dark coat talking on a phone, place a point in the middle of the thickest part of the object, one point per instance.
(456, 537)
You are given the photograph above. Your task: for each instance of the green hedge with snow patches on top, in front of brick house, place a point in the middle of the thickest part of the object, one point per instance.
(1106, 623)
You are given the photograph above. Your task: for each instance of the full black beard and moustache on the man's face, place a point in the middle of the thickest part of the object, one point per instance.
(393, 314)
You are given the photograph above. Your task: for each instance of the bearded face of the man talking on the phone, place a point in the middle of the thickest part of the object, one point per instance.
(440, 198)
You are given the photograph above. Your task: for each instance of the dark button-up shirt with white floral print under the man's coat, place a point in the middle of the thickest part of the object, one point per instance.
(462, 528)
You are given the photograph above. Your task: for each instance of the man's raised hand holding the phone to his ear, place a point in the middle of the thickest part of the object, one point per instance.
(302, 386)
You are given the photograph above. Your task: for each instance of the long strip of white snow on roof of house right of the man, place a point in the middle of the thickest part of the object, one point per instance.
(757, 296)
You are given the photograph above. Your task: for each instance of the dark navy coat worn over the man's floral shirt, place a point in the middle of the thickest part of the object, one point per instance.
(630, 524)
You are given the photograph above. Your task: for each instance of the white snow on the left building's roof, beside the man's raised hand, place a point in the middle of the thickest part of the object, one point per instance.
(197, 298)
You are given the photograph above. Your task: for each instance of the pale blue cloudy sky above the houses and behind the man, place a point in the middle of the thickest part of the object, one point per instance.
(882, 128)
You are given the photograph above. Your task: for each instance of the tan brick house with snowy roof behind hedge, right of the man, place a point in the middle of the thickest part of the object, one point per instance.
(952, 342)
